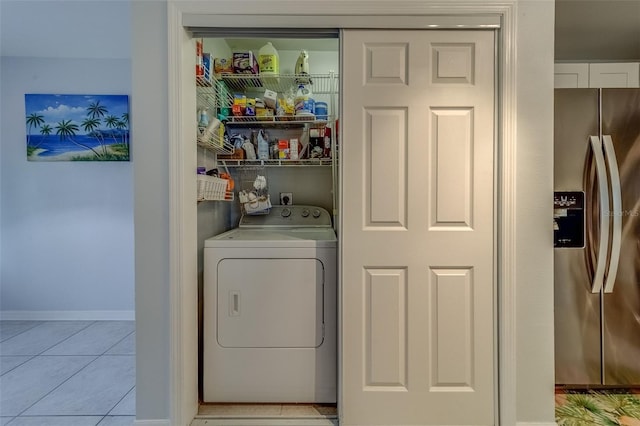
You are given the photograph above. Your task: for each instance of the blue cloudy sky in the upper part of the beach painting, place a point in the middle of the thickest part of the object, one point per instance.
(55, 108)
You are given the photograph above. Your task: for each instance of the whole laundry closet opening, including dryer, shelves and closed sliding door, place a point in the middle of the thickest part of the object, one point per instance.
(347, 252)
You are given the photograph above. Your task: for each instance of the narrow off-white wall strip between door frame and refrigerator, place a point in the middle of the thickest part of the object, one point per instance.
(534, 197)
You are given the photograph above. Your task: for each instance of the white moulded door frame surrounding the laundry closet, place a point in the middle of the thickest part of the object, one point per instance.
(183, 253)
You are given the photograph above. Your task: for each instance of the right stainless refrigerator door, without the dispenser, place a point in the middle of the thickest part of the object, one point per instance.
(621, 120)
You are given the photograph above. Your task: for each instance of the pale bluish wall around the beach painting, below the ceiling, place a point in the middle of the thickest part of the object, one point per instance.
(67, 227)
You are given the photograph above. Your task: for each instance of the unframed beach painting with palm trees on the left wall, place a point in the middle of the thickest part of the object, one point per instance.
(77, 127)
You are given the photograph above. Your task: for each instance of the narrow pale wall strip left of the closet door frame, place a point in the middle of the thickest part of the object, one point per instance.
(151, 207)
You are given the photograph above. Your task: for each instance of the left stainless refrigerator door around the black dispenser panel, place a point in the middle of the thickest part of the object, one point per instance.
(577, 310)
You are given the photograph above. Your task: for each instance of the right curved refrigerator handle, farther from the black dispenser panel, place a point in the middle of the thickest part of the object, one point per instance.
(616, 211)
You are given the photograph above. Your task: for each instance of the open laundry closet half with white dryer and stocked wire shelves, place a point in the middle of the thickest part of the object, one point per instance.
(267, 117)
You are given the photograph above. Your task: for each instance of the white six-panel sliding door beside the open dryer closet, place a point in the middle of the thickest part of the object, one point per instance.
(418, 243)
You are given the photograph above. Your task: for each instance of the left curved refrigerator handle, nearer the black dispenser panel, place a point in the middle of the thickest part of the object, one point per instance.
(603, 191)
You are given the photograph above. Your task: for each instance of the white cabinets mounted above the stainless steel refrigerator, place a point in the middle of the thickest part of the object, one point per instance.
(597, 74)
